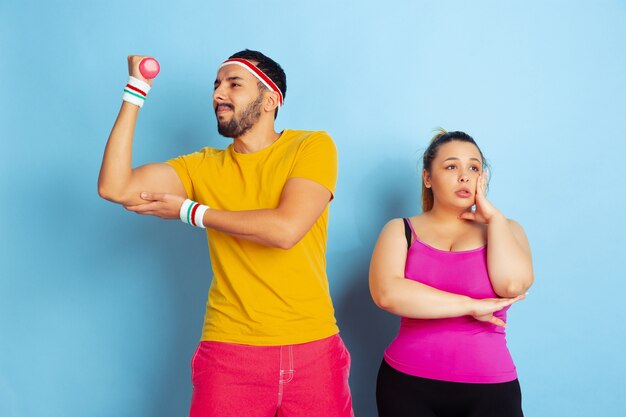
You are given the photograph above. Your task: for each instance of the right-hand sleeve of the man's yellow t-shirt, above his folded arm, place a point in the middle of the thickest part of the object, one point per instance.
(317, 161)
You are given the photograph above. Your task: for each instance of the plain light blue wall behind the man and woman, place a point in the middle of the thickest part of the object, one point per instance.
(101, 310)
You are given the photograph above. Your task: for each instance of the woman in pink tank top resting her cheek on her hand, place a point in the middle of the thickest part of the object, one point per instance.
(450, 273)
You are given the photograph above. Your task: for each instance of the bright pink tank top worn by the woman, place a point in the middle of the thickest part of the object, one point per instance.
(458, 349)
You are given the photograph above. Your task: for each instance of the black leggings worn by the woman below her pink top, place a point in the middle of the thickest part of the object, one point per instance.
(402, 395)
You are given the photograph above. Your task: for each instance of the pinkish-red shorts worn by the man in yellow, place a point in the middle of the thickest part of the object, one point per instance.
(309, 379)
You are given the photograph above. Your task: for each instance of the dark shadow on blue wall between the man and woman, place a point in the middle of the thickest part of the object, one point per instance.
(366, 329)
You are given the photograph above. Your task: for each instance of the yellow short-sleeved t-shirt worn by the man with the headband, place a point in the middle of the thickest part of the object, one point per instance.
(262, 295)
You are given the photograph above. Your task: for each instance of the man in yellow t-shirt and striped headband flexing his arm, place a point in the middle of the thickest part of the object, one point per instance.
(270, 343)
